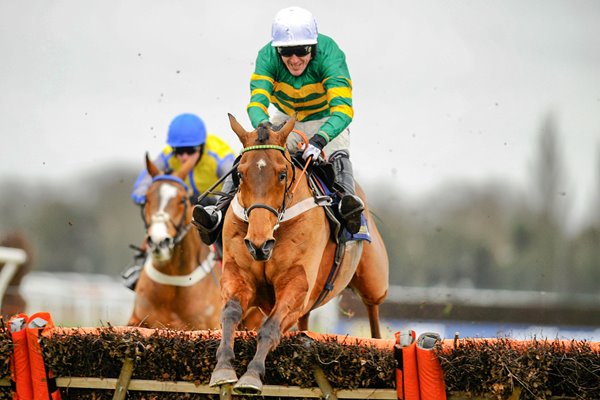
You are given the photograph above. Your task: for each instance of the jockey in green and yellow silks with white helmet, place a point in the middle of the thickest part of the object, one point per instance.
(301, 72)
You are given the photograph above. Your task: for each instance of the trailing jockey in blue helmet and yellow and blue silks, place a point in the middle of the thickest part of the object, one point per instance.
(186, 136)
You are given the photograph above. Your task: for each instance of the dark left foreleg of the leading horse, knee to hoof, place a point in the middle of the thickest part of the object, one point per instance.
(230, 318)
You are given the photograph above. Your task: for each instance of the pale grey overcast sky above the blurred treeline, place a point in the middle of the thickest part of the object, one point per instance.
(443, 90)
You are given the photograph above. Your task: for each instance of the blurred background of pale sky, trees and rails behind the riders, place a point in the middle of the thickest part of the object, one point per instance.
(476, 137)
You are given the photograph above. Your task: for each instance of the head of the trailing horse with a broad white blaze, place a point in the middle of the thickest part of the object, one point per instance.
(167, 211)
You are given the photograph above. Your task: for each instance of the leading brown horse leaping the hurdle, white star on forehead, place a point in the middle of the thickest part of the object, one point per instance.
(278, 252)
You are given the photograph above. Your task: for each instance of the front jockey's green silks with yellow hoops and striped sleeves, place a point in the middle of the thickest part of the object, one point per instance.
(323, 91)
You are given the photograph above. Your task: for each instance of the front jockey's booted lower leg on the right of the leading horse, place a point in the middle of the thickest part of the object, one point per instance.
(350, 206)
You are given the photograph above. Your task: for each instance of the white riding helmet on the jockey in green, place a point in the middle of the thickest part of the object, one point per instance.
(294, 26)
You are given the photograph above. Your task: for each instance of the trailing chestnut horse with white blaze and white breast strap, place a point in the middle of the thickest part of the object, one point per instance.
(178, 287)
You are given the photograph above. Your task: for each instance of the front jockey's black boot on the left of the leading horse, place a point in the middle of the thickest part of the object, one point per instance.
(209, 219)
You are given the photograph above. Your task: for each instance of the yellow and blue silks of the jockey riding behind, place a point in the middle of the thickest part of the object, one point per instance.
(215, 161)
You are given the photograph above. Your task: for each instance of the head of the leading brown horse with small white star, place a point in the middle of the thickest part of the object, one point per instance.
(266, 173)
